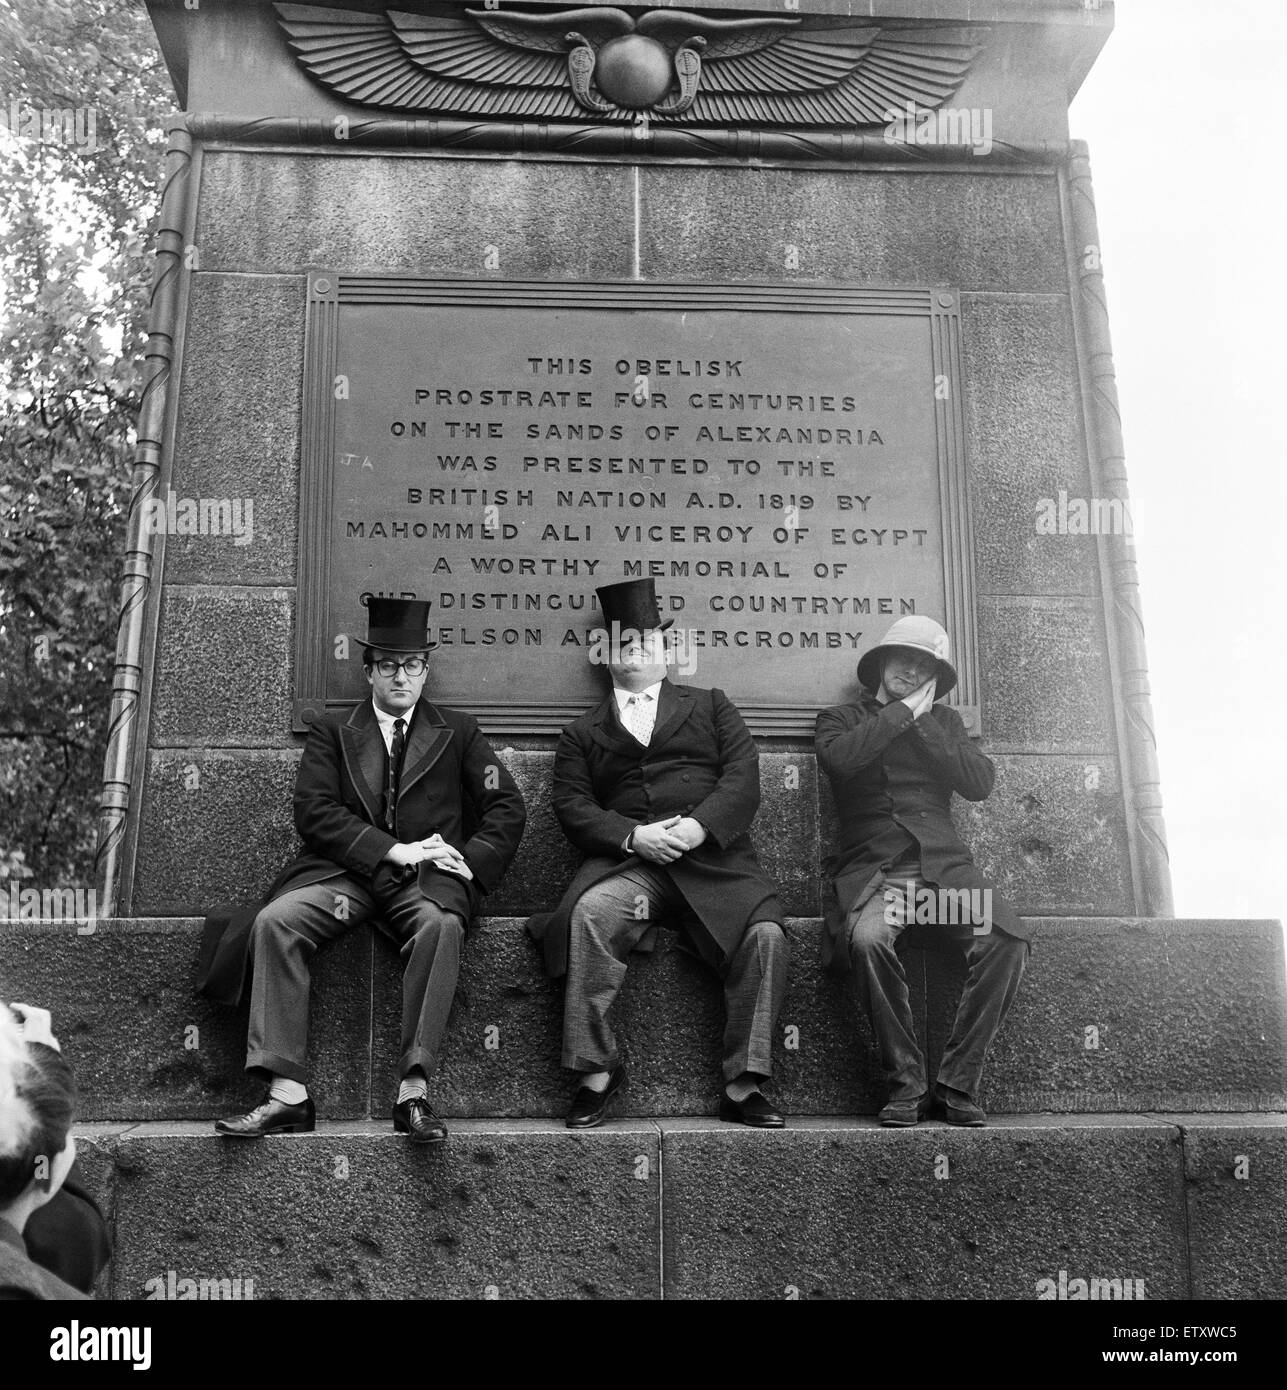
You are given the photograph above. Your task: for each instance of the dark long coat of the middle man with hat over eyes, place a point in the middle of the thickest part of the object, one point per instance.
(701, 762)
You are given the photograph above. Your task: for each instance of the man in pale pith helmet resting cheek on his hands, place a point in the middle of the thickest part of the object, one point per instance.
(894, 760)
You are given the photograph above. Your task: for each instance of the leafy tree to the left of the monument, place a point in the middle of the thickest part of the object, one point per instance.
(81, 142)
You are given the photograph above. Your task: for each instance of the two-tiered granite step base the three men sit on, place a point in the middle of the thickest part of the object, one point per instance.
(1158, 1168)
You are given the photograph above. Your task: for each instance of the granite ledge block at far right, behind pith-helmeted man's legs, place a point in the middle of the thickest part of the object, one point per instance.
(1118, 1015)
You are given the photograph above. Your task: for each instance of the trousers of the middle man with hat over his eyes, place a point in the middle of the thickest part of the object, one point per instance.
(609, 921)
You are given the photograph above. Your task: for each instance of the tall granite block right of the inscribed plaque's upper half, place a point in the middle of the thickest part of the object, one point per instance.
(1025, 439)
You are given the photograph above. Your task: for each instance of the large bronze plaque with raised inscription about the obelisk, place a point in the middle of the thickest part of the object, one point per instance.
(786, 461)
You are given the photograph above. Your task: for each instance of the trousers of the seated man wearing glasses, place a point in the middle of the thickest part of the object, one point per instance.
(287, 935)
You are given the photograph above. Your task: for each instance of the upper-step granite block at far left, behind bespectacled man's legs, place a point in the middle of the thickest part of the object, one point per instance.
(141, 1042)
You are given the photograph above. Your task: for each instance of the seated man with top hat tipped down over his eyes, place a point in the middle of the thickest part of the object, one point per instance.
(658, 787)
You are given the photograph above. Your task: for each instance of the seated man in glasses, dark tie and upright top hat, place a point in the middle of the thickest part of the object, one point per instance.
(407, 817)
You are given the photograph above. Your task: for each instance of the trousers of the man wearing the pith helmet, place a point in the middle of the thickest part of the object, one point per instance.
(996, 964)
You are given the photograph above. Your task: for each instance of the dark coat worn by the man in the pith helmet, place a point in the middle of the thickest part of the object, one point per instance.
(893, 779)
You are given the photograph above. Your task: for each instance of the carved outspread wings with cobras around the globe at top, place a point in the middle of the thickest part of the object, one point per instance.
(767, 72)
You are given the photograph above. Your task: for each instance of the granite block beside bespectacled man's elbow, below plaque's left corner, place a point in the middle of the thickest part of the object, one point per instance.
(215, 828)
